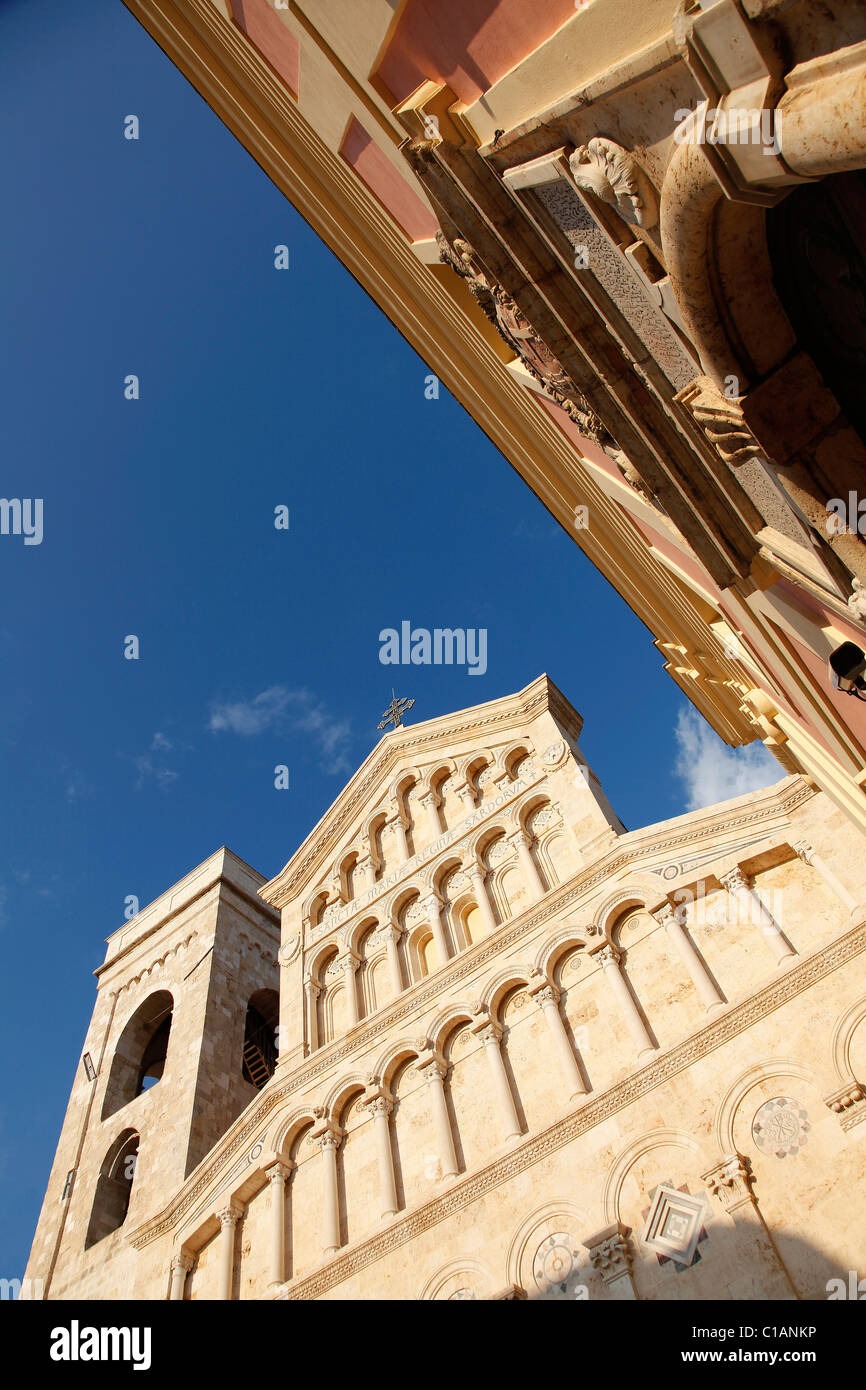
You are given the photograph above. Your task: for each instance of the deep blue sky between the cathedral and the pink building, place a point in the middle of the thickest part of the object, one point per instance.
(258, 647)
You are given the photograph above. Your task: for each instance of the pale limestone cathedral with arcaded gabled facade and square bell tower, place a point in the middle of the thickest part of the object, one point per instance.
(477, 1040)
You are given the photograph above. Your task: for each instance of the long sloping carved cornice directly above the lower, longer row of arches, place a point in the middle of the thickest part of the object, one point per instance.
(775, 806)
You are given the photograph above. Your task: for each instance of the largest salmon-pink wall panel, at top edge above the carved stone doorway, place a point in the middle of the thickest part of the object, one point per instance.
(468, 45)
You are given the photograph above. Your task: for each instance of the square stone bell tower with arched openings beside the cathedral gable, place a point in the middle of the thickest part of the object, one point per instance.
(180, 1043)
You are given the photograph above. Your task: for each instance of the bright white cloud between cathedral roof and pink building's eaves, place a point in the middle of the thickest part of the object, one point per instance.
(711, 771)
